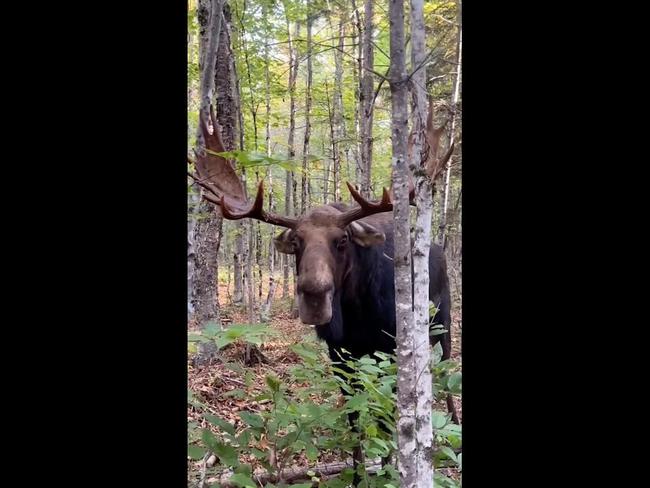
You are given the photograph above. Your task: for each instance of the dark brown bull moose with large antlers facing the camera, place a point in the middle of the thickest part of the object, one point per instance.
(344, 261)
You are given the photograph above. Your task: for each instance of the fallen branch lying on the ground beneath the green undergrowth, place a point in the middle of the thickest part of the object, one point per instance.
(290, 475)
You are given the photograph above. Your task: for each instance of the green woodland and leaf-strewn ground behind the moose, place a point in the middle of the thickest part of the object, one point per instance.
(304, 105)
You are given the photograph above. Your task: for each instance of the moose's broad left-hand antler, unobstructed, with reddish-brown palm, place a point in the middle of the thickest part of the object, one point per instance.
(224, 188)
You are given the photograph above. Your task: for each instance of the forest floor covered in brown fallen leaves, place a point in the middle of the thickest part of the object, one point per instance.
(212, 383)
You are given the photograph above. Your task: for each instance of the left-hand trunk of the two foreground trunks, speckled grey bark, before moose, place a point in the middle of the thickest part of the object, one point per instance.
(409, 420)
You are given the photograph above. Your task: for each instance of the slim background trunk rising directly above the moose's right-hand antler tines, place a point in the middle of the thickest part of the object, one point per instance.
(366, 99)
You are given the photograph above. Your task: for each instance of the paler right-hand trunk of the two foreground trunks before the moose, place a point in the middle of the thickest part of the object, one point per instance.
(419, 415)
